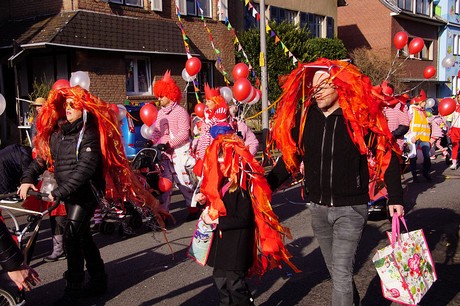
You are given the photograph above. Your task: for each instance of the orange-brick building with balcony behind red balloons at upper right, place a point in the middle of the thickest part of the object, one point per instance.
(373, 23)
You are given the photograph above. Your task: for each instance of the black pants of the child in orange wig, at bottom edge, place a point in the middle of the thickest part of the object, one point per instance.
(232, 288)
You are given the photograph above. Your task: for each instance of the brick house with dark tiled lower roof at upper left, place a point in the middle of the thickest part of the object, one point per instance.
(124, 45)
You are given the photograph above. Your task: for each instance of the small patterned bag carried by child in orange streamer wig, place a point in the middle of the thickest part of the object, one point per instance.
(201, 242)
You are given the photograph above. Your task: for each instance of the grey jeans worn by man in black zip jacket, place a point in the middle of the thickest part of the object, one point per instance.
(338, 231)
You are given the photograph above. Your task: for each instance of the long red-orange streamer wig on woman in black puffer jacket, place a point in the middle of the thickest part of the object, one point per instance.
(116, 165)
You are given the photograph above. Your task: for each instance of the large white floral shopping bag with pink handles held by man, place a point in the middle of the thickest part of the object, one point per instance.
(405, 267)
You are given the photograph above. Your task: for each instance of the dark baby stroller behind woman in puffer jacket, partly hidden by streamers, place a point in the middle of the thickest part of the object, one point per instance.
(128, 217)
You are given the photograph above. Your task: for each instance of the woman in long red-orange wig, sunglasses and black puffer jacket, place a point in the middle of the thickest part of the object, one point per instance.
(78, 135)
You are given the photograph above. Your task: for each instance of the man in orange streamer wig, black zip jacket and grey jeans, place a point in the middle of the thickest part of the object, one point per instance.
(336, 132)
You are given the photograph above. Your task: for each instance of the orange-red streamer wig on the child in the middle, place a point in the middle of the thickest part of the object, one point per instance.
(243, 169)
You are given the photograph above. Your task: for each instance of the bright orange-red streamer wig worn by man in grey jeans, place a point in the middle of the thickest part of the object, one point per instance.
(362, 110)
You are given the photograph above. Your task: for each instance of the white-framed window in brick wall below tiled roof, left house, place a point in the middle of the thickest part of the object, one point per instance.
(138, 77)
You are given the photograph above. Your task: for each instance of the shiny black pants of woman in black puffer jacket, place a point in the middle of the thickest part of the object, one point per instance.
(79, 244)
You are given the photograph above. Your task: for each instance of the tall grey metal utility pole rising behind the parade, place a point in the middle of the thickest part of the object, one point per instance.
(263, 71)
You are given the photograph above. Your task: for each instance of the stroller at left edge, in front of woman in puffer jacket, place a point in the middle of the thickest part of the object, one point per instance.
(26, 238)
